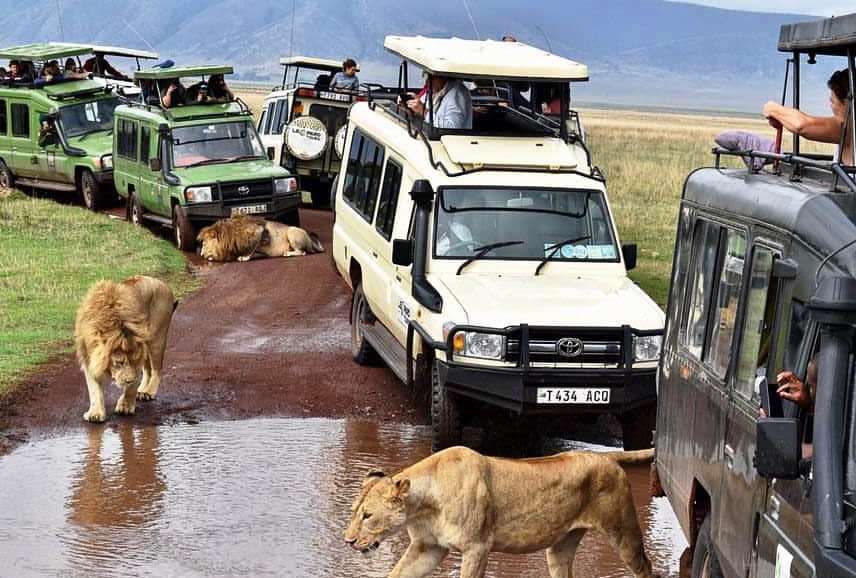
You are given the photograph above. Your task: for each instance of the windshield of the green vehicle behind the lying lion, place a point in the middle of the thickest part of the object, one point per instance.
(215, 143)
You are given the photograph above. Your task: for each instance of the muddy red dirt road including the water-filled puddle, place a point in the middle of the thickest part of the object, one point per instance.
(247, 462)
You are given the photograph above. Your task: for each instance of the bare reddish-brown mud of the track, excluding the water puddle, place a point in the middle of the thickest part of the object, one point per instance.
(265, 338)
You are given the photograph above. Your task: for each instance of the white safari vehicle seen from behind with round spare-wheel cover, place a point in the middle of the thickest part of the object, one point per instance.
(302, 124)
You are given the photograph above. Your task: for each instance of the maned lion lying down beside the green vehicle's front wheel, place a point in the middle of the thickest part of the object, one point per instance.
(239, 238)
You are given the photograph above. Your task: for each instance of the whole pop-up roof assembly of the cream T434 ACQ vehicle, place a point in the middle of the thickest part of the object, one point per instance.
(503, 70)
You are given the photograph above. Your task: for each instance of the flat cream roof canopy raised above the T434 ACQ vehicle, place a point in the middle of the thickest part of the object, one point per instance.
(485, 59)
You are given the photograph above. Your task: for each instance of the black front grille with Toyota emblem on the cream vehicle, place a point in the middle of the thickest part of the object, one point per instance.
(600, 347)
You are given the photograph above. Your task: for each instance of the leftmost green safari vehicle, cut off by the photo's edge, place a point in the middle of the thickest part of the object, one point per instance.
(56, 135)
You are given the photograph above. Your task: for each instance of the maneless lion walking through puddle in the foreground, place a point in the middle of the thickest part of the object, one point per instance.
(460, 500)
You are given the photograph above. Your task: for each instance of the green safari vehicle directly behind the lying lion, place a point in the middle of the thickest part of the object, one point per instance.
(189, 165)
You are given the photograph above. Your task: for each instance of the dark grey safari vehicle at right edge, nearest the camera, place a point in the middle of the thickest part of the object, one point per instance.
(764, 281)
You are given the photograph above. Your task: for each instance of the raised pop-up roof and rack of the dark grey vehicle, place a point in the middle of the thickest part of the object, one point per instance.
(807, 40)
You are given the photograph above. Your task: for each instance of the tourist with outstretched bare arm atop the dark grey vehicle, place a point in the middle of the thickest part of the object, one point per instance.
(825, 129)
